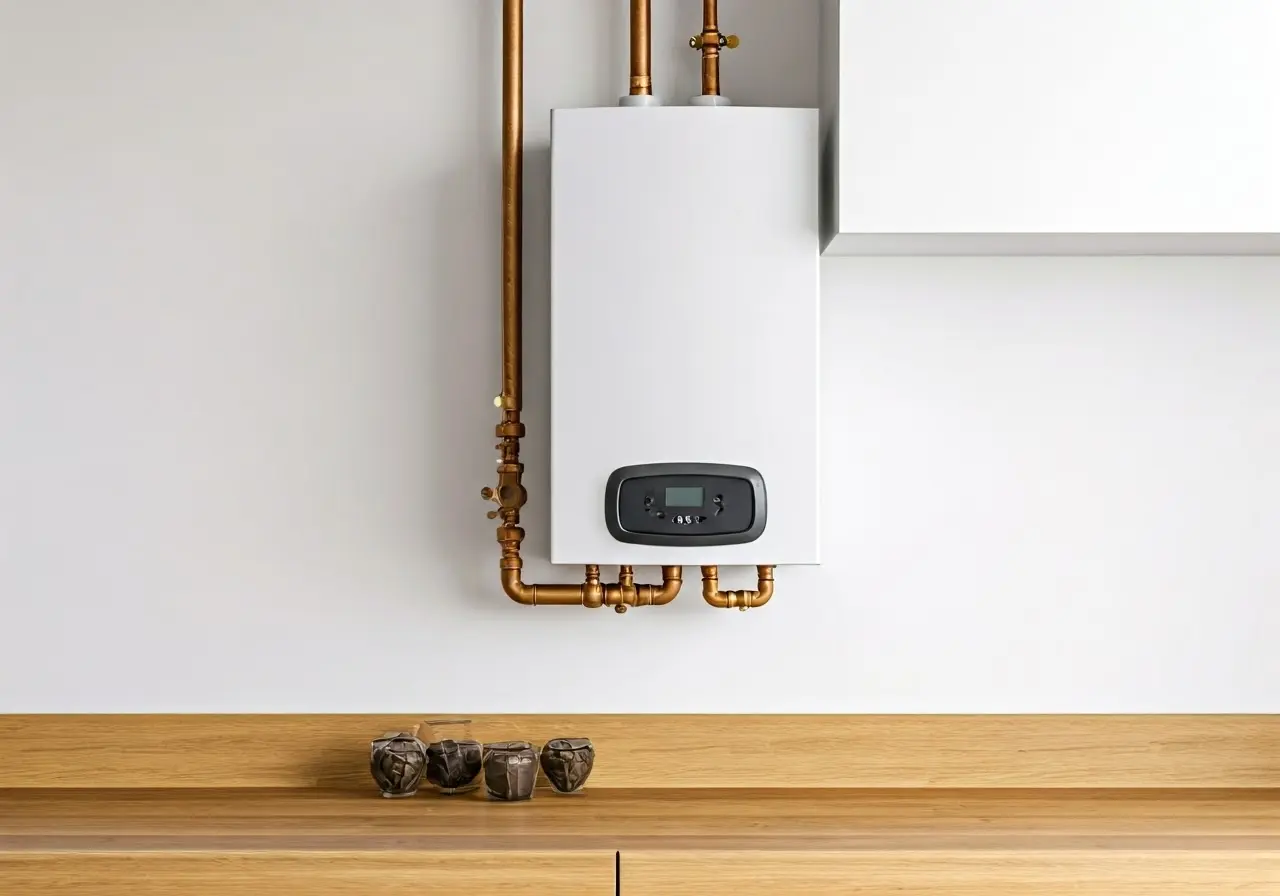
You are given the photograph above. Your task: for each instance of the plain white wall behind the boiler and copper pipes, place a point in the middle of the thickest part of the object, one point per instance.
(249, 308)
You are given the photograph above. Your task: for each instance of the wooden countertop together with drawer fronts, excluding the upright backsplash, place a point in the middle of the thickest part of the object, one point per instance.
(762, 843)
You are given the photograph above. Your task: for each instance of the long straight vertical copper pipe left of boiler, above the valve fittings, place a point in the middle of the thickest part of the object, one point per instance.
(513, 203)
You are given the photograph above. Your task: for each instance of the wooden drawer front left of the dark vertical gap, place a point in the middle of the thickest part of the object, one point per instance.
(307, 875)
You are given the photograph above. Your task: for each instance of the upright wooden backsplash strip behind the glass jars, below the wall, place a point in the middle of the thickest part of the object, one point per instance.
(671, 752)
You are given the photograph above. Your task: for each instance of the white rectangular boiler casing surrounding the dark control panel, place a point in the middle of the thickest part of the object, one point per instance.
(684, 319)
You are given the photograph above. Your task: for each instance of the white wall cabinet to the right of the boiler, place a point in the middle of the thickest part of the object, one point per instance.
(1039, 127)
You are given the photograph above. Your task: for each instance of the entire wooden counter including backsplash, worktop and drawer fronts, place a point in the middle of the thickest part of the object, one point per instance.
(877, 806)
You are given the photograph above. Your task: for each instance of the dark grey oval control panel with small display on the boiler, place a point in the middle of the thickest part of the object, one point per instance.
(685, 505)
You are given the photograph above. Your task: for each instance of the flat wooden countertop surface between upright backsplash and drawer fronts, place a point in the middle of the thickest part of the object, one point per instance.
(642, 820)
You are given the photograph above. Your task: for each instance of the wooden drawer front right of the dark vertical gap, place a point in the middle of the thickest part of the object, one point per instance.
(954, 874)
